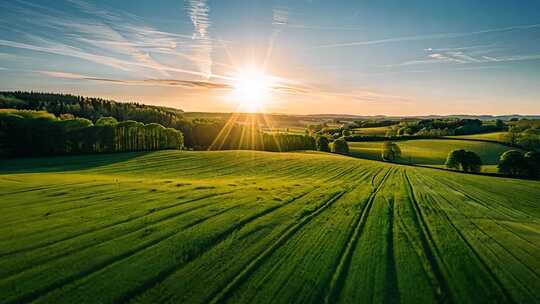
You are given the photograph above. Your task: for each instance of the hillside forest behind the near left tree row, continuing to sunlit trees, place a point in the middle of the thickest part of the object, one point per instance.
(198, 134)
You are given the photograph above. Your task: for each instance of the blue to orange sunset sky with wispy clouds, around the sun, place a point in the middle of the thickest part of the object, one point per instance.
(355, 57)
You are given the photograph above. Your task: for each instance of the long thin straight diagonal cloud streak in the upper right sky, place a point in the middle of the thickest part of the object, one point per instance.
(427, 37)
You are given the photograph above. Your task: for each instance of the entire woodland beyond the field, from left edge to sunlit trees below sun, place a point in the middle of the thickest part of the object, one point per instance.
(85, 125)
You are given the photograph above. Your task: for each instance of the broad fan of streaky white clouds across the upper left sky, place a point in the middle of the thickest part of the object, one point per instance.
(113, 38)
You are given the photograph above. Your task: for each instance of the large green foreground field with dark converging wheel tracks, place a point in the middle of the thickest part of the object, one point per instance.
(245, 227)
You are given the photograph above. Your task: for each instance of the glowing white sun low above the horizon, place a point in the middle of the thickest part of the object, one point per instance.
(252, 90)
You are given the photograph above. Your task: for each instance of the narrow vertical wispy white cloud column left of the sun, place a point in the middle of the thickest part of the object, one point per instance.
(198, 12)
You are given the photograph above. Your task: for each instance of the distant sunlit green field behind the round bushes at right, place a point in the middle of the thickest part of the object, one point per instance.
(432, 152)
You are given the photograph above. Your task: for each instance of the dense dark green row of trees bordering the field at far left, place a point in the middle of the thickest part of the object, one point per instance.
(38, 133)
